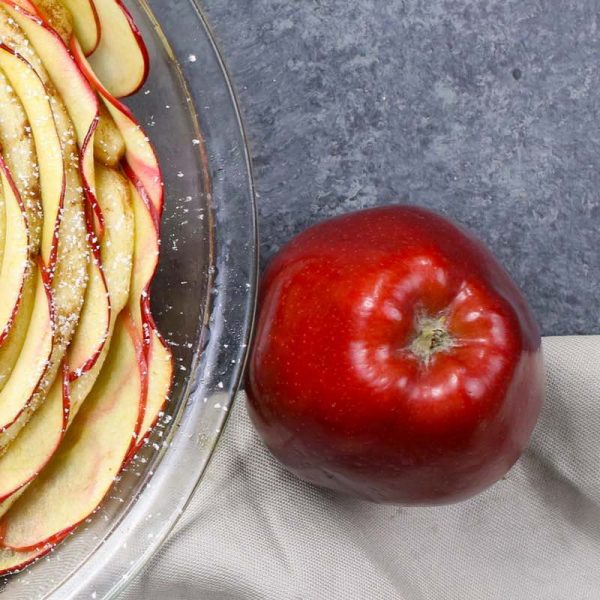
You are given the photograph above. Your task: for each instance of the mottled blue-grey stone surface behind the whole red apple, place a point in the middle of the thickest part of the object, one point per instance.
(486, 111)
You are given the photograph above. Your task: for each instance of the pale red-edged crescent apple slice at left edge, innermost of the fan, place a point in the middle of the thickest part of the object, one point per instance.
(15, 261)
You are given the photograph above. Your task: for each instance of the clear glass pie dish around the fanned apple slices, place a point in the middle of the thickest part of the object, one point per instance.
(203, 301)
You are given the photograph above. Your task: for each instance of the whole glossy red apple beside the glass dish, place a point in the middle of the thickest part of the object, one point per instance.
(335, 388)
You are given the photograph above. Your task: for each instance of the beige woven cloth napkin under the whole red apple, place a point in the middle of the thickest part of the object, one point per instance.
(254, 532)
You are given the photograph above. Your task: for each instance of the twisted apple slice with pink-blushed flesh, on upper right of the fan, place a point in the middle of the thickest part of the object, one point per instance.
(139, 154)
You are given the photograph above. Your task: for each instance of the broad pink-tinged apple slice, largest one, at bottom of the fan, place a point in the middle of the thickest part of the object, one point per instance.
(89, 458)
